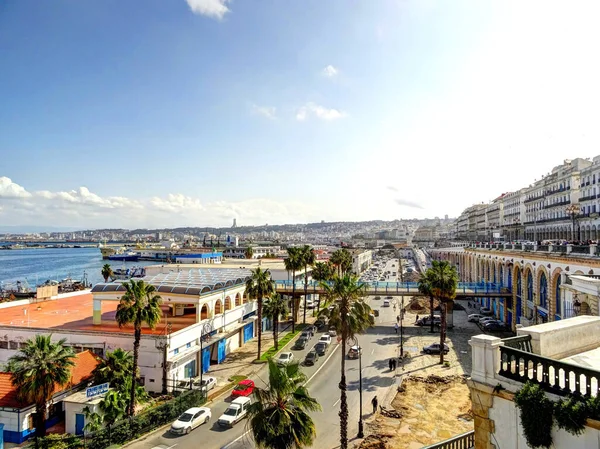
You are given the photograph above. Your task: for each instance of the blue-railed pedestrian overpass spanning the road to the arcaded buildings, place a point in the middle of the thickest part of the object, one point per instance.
(464, 289)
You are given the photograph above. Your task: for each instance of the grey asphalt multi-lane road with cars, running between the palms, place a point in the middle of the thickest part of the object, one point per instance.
(379, 344)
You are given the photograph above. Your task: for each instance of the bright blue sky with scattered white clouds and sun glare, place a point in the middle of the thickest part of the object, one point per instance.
(153, 113)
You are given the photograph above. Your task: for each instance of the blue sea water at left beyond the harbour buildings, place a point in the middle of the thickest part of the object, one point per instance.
(37, 265)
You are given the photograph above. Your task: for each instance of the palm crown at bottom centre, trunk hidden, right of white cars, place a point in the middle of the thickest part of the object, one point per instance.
(279, 416)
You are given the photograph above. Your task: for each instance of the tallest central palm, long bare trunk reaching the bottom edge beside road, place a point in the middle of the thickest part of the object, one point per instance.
(349, 315)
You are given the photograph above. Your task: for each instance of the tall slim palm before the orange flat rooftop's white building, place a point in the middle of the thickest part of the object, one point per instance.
(140, 304)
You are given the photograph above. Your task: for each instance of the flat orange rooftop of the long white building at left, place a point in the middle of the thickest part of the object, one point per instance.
(75, 313)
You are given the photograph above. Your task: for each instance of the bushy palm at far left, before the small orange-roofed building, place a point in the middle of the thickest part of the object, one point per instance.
(37, 369)
